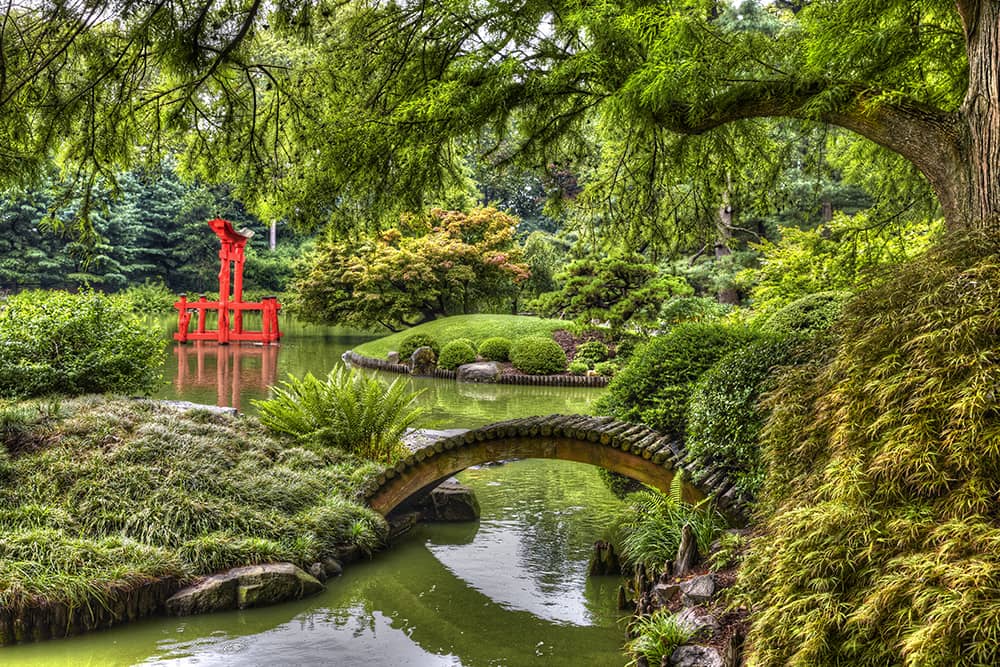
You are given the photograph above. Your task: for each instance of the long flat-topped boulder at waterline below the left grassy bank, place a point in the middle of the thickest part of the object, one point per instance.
(243, 587)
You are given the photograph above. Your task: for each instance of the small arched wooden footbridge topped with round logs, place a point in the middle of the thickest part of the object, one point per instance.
(633, 450)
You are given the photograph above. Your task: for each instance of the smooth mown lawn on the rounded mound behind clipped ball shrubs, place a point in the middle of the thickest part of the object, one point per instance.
(475, 327)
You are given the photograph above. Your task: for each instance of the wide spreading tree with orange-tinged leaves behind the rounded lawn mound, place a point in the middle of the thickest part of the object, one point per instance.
(445, 263)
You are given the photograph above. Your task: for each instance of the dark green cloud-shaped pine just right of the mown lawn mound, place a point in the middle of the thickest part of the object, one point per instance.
(620, 288)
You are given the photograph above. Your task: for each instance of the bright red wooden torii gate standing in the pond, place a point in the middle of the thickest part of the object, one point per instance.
(230, 310)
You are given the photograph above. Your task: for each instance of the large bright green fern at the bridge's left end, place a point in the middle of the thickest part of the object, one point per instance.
(348, 411)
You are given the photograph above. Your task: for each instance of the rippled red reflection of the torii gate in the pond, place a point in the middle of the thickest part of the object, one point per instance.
(229, 368)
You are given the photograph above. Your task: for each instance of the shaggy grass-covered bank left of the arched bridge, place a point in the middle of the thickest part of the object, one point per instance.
(97, 495)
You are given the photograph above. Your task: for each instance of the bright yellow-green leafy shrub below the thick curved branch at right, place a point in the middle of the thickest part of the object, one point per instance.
(847, 254)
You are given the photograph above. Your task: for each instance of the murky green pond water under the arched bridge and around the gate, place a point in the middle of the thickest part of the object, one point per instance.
(509, 590)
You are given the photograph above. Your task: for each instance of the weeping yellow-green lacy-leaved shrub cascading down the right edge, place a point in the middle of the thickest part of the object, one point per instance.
(882, 526)
